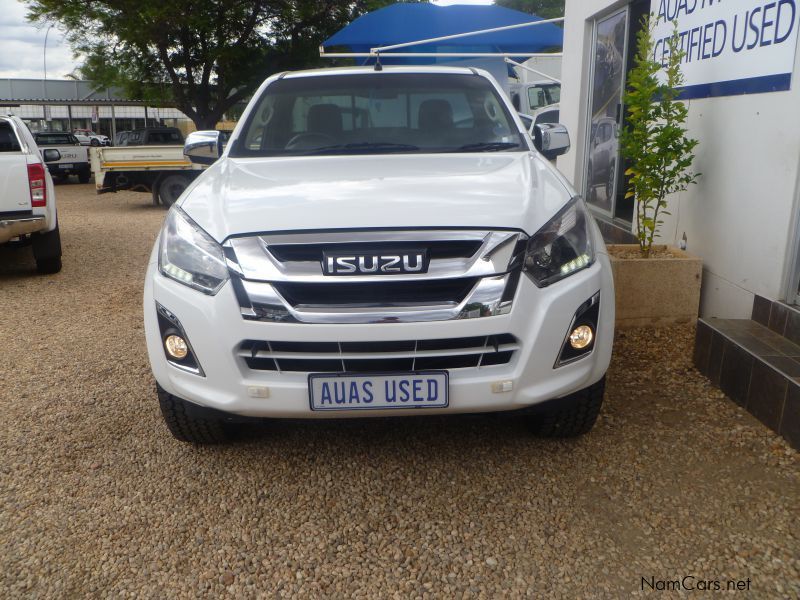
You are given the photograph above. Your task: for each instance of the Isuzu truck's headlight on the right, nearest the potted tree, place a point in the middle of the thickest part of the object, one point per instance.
(562, 247)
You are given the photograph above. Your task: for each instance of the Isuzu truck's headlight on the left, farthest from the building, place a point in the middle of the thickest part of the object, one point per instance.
(189, 255)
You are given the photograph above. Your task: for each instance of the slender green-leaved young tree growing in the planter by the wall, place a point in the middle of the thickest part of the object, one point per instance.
(654, 140)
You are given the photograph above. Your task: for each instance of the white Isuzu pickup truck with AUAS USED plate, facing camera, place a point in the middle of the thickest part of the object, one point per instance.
(378, 243)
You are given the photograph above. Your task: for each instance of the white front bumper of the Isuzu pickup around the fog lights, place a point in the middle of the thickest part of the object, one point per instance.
(539, 320)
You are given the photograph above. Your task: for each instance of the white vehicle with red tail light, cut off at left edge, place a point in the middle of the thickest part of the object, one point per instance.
(27, 198)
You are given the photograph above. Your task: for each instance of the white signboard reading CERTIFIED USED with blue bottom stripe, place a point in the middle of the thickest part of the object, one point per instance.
(732, 46)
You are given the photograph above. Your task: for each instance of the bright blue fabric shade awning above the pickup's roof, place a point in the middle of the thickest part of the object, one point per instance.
(399, 23)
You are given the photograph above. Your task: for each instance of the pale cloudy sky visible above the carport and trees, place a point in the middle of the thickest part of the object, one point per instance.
(22, 44)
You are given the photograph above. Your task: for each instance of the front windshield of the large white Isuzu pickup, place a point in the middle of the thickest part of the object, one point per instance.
(378, 113)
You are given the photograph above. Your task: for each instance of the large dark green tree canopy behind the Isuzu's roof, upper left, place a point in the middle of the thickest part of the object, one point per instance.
(204, 56)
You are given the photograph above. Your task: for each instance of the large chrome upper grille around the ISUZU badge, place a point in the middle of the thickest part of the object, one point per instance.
(470, 273)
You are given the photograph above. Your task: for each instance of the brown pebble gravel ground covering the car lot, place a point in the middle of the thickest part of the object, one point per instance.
(97, 500)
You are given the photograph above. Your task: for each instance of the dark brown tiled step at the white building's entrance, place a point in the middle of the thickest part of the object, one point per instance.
(756, 365)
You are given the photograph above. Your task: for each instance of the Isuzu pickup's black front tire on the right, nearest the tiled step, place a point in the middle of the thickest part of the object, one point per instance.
(574, 415)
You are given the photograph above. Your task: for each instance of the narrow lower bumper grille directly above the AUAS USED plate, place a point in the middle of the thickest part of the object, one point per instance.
(370, 357)
